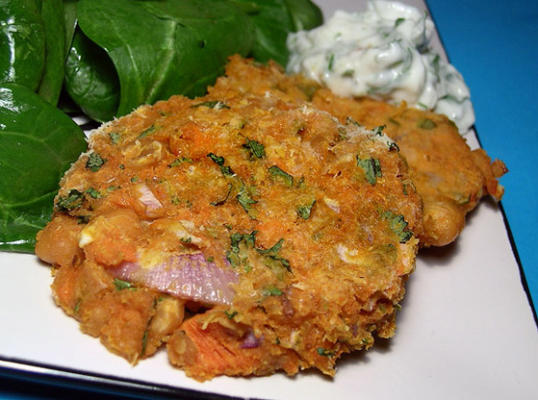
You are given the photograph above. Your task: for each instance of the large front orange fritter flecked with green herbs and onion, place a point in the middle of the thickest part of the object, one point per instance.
(308, 221)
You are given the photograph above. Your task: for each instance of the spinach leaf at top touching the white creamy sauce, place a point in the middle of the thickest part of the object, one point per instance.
(274, 19)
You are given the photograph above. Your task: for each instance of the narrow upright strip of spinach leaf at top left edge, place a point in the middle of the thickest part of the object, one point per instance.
(52, 14)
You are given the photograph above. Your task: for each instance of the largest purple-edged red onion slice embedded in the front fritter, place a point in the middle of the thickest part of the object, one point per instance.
(188, 276)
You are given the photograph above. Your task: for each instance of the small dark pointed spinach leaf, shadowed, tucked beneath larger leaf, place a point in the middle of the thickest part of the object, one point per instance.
(90, 79)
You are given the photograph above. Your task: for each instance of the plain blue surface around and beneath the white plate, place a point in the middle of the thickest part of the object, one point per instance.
(495, 46)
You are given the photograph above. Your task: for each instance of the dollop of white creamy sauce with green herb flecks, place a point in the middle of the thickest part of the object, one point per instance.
(382, 52)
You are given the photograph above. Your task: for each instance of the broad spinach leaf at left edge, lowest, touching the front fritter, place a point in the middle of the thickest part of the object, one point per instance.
(37, 144)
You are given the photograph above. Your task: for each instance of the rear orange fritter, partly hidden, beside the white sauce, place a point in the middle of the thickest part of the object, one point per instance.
(450, 178)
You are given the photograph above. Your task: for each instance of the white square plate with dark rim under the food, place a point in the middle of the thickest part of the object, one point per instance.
(466, 329)
